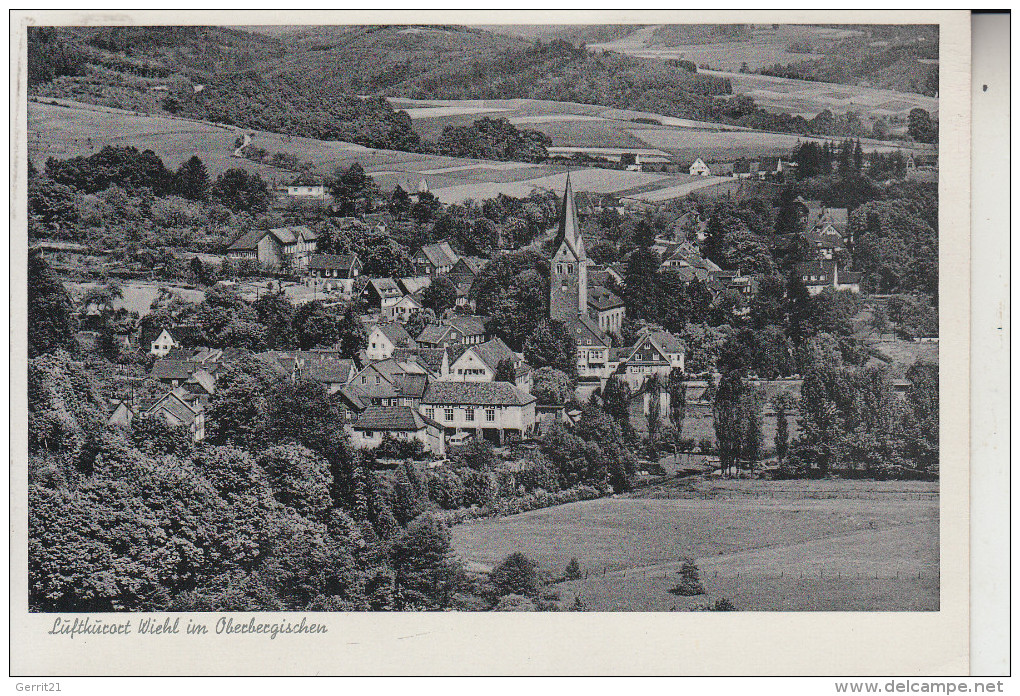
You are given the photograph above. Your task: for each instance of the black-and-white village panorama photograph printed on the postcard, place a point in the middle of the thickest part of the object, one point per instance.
(524, 318)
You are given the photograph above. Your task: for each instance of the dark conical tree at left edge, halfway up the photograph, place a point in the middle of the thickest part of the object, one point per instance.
(50, 310)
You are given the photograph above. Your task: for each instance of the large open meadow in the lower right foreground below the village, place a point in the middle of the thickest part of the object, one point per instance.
(823, 545)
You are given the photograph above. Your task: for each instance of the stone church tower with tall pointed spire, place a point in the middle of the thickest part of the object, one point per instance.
(569, 268)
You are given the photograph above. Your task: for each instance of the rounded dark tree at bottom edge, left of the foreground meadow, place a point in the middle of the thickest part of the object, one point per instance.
(425, 570)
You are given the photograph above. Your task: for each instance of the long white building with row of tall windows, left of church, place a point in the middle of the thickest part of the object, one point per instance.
(495, 411)
